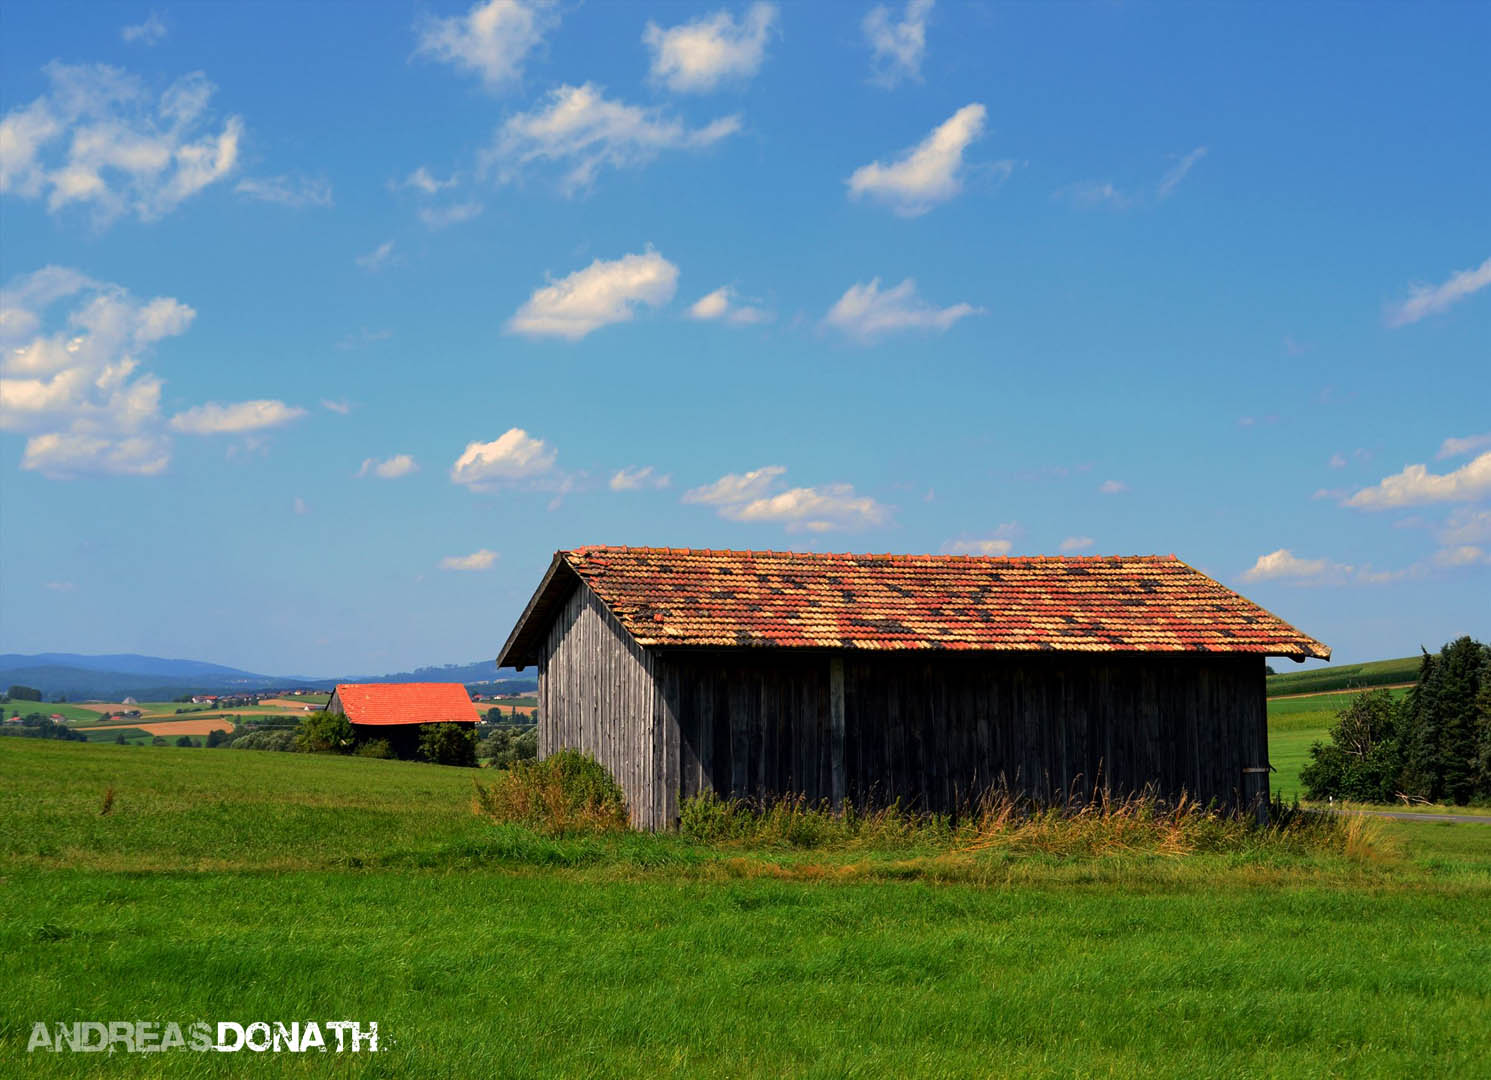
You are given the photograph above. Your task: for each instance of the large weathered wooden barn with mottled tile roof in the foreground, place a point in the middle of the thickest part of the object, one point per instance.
(922, 678)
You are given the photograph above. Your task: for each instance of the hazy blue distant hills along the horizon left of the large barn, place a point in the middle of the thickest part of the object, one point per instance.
(116, 676)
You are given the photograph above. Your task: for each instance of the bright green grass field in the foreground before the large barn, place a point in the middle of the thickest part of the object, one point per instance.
(491, 951)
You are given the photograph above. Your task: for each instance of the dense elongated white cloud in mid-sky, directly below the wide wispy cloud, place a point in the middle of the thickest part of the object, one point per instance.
(596, 298)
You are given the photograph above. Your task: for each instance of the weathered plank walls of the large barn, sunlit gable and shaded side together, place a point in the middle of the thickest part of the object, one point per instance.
(934, 732)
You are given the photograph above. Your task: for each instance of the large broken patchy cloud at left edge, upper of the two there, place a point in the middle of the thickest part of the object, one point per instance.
(98, 138)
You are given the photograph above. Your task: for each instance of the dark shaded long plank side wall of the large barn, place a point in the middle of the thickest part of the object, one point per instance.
(939, 732)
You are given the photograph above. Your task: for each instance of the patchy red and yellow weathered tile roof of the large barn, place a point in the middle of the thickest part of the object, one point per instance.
(1150, 603)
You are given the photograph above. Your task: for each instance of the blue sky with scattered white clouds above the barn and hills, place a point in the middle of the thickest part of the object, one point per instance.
(326, 326)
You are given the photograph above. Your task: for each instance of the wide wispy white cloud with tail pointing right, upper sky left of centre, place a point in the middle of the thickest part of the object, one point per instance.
(584, 132)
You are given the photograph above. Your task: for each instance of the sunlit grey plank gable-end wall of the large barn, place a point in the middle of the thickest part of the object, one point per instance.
(597, 694)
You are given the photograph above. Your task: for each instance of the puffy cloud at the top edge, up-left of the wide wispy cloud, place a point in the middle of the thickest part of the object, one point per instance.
(491, 40)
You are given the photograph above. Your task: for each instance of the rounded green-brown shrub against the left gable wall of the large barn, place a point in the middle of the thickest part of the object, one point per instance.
(567, 791)
